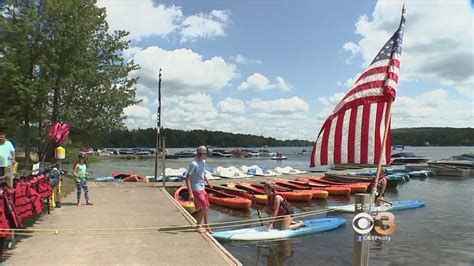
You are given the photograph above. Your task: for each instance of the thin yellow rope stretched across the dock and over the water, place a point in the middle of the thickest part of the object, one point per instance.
(164, 229)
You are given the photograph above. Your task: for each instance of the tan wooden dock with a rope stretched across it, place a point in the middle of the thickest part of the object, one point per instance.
(125, 207)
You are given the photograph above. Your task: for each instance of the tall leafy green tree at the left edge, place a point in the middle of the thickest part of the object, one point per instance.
(59, 62)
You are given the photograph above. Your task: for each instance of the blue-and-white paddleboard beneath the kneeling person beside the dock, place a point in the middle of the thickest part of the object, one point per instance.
(312, 226)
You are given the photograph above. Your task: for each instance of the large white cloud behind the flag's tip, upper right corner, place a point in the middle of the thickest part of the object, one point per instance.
(436, 46)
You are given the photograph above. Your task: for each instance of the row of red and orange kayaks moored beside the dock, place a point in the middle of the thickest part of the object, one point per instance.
(241, 195)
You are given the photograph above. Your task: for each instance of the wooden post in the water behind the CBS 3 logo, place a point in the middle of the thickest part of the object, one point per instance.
(360, 248)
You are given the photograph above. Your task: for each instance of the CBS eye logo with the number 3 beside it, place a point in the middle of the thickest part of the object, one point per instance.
(383, 223)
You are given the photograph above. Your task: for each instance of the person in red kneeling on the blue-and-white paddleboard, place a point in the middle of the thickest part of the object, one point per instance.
(277, 205)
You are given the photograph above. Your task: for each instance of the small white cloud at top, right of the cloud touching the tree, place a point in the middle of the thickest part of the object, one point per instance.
(205, 25)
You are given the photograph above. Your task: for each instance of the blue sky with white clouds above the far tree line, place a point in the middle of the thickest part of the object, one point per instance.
(277, 68)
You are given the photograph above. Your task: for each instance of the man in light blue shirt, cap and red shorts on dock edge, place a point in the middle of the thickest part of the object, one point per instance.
(195, 178)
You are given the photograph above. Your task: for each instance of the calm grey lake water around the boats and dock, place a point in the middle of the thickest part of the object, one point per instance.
(442, 233)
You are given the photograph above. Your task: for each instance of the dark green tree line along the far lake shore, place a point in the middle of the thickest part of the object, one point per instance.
(179, 138)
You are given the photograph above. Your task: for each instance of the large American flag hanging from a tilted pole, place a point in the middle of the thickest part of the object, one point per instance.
(353, 133)
